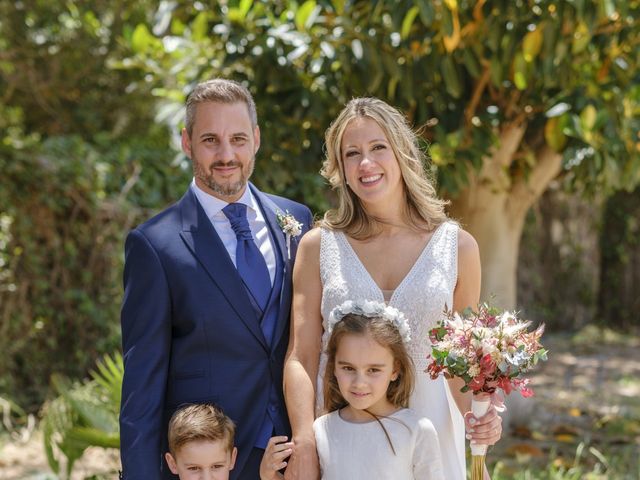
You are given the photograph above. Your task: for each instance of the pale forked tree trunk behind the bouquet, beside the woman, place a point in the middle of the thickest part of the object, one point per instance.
(493, 208)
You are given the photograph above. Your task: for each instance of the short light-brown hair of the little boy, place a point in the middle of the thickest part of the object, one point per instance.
(200, 422)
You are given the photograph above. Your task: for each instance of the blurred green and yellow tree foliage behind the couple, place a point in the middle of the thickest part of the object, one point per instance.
(91, 97)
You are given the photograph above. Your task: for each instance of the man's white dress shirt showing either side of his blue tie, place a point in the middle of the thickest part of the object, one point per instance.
(213, 208)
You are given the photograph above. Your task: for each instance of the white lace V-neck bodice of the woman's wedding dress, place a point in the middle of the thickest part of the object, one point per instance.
(421, 296)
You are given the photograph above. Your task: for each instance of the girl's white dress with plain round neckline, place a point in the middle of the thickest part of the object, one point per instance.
(351, 451)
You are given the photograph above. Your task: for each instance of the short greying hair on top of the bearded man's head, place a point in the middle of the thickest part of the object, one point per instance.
(219, 90)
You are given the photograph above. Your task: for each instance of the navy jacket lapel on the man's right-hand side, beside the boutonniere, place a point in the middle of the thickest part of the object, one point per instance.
(269, 210)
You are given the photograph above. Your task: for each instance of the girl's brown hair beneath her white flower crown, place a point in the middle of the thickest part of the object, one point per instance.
(385, 334)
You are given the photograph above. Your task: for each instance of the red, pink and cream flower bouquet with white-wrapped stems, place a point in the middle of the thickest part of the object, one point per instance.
(487, 349)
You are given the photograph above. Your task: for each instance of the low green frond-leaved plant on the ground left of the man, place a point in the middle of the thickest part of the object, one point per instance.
(83, 415)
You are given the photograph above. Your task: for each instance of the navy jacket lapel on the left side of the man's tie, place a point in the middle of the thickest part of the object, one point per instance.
(205, 244)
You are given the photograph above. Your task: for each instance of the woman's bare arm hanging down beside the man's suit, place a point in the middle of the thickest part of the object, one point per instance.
(303, 356)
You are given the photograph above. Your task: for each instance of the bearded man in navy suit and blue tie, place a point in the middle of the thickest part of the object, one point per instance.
(205, 316)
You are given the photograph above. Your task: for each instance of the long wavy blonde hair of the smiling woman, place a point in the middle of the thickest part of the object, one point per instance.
(423, 208)
